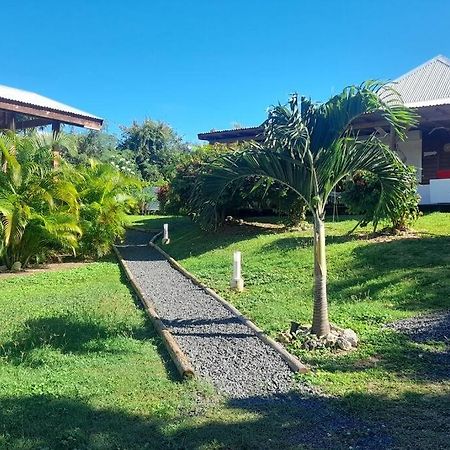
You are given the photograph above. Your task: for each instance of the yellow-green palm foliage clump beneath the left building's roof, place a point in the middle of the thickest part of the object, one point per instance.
(47, 210)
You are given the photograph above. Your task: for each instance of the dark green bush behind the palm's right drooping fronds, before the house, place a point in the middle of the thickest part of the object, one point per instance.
(361, 196)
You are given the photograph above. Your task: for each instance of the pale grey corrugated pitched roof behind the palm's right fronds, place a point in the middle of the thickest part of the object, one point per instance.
(427, 84)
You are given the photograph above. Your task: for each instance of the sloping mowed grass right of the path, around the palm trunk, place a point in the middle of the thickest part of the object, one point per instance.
(401, 385)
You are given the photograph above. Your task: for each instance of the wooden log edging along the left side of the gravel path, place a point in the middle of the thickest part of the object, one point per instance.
(179, 358)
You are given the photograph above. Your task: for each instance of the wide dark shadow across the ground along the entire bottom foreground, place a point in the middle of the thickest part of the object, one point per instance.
(410, 420)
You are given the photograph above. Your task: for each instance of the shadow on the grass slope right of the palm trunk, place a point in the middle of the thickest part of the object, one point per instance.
(419, 268)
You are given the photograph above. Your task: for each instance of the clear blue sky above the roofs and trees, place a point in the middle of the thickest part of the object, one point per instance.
(204, 64)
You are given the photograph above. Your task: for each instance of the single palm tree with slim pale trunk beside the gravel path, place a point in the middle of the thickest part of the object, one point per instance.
(309, 148)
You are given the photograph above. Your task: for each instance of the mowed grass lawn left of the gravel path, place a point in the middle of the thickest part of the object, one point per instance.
(81, 368)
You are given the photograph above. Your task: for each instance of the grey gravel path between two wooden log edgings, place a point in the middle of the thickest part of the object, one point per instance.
(220, 347)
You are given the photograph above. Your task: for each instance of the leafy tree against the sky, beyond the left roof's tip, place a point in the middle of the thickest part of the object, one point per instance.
(156, 148)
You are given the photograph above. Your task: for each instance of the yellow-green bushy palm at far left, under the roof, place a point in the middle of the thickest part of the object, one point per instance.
(38, 206)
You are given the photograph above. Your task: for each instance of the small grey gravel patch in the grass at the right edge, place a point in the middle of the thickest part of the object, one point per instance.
(431, 327)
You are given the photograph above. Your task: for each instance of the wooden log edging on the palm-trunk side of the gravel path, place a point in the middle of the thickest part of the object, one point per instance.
(294, 363)
